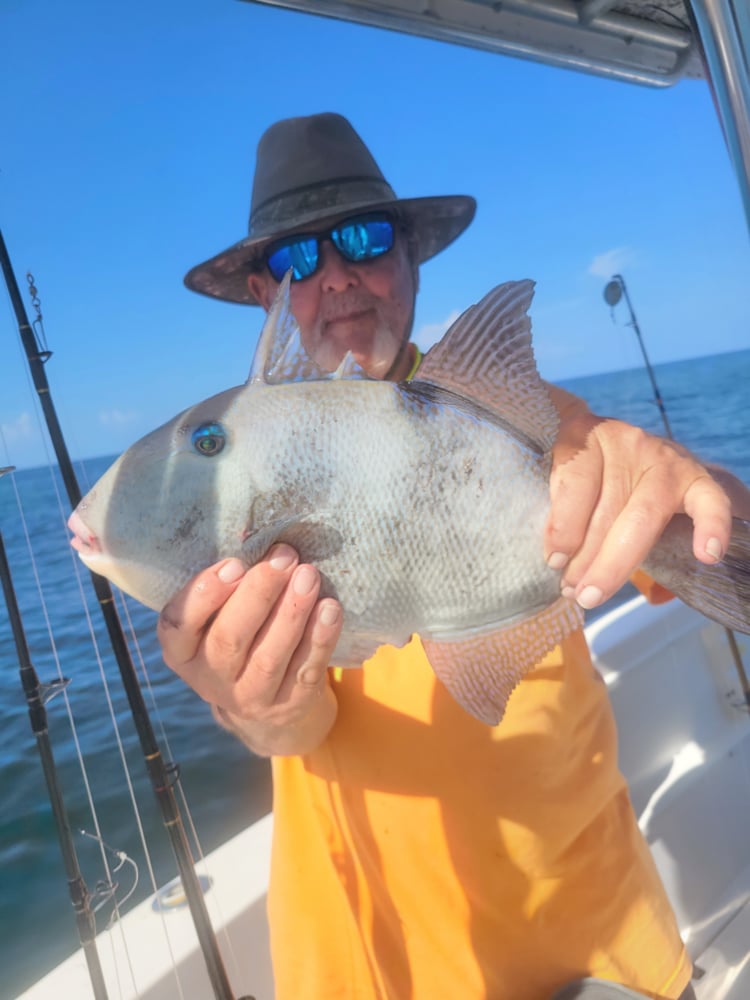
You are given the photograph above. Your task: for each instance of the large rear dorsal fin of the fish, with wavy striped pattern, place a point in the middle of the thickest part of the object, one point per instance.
(487, 356)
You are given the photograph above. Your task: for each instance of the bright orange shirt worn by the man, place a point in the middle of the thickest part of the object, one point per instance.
(419, 854)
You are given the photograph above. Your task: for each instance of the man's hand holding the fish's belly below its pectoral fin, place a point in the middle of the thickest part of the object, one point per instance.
(256, 644)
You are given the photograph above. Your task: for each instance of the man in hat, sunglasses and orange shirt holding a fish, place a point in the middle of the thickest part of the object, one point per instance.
(418, 853)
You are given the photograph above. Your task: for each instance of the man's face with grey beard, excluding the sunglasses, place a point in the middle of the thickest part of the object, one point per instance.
(366, 308)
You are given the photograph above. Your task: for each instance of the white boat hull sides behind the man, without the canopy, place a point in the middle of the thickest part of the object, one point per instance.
(686, 759)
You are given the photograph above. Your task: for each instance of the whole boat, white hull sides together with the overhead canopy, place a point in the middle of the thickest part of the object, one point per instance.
(665, 665)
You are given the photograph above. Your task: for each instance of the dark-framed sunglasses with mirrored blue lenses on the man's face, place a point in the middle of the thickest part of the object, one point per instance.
(363, 237)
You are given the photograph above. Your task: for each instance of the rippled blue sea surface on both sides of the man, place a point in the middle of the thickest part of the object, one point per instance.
(224, 787)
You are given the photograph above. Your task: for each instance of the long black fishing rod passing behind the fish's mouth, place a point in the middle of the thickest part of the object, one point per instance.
(163, 776)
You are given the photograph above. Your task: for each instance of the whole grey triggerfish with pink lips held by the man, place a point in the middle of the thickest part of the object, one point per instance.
(422, 503)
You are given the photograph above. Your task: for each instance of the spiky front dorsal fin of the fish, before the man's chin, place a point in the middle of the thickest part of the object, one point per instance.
(280, 356)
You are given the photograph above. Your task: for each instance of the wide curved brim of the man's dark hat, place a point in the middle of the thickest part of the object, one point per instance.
(435, 222)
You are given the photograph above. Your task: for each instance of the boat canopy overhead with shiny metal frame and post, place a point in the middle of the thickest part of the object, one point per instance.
(651, 42)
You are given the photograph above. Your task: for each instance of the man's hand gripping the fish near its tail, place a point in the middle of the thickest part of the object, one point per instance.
(614, 488)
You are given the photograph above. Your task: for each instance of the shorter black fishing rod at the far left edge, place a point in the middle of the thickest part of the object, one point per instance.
(37, 696)
